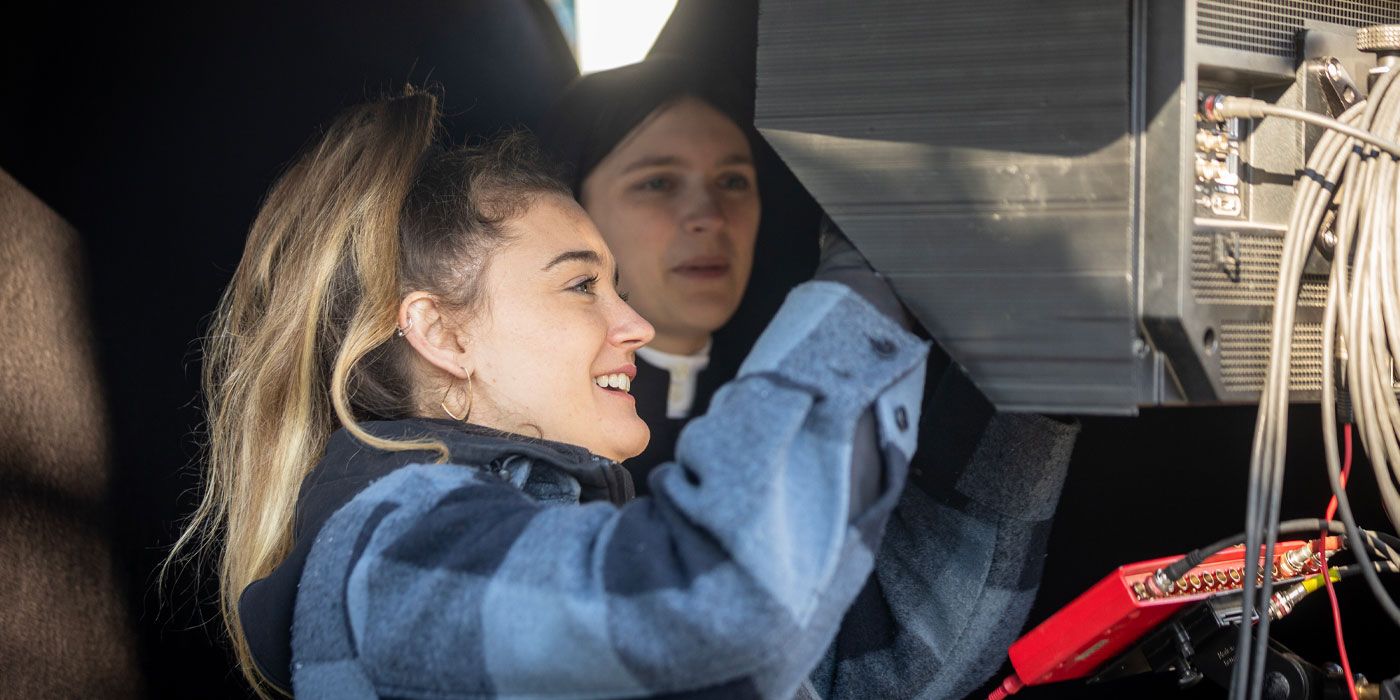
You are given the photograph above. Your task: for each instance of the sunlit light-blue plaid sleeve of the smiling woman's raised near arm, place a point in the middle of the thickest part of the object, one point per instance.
(440, 582)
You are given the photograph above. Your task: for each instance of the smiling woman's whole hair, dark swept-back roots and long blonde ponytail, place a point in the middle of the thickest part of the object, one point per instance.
(302, 344)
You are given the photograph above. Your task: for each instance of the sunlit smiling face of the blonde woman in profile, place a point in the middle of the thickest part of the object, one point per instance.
(552, 328)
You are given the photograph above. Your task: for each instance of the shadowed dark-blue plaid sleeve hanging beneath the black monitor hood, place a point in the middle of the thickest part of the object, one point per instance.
(962, 555)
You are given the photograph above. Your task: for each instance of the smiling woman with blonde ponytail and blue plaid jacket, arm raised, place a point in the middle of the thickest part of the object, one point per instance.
(419, 400)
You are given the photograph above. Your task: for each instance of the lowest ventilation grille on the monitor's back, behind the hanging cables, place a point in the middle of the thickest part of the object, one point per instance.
(1245, 358)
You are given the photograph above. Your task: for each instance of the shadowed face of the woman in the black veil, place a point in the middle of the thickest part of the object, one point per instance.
(678, 202)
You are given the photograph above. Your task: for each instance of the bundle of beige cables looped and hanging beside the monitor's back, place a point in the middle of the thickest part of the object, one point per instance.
(1352, 181)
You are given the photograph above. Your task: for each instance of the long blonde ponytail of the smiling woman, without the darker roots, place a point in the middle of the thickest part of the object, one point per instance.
(317, 290)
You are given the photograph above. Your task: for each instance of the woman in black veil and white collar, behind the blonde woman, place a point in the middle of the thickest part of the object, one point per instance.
(661, 156)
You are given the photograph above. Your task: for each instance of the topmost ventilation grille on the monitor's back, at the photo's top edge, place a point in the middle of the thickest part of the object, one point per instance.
(1272, 26)
